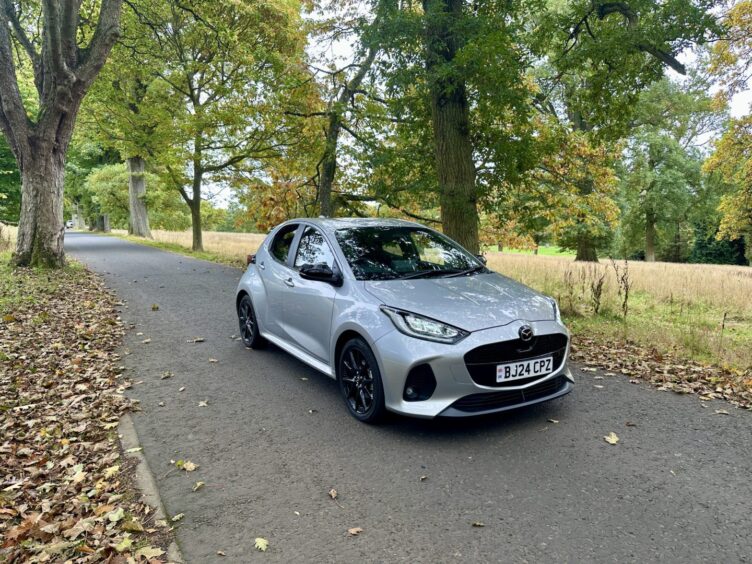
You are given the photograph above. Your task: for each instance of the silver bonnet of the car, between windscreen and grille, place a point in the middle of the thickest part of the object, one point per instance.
(472, 303)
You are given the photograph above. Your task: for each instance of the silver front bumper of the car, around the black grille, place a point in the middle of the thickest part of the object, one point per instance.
(457, 394)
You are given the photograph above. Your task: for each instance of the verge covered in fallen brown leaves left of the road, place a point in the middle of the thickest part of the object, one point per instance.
(66, 490)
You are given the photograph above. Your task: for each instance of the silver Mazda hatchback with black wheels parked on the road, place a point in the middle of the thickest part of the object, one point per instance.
(404, 318)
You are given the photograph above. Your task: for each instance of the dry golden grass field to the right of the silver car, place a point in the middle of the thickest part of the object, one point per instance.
(701, 312)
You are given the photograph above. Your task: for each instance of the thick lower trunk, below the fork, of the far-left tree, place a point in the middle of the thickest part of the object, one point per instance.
(41, 229)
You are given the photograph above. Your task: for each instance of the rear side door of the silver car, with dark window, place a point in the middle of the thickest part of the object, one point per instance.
(277, 276)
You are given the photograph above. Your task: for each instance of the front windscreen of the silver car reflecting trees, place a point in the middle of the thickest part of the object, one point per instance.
(390, 253)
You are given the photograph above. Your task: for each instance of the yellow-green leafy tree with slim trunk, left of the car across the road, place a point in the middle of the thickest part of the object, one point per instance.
(223, 70)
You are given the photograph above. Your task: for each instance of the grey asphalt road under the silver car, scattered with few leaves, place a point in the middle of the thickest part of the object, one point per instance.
(274, 438)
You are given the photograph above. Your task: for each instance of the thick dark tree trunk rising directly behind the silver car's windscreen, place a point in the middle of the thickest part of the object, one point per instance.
(450, 114)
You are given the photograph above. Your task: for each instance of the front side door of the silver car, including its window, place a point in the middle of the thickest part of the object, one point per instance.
(309, 307)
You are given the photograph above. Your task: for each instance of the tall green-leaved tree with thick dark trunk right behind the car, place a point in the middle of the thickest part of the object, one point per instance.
(476, 68)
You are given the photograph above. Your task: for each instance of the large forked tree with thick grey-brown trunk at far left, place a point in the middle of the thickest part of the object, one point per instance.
(50, 35)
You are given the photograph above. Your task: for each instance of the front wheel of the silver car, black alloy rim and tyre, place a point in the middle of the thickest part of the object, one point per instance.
(360, 381)
